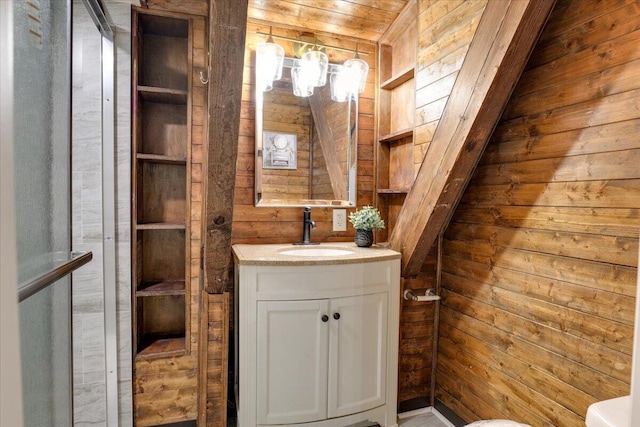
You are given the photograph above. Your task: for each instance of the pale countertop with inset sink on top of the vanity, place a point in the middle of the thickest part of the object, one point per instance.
(276, 254)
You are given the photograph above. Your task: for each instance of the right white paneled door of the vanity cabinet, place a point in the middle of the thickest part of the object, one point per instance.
(358, 354)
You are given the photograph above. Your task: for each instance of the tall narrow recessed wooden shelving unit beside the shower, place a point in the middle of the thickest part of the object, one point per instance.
(161, 184)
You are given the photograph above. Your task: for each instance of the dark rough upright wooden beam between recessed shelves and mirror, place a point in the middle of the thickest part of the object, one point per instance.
(227, 29)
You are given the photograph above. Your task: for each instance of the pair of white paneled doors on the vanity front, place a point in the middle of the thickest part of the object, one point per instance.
(321, 359)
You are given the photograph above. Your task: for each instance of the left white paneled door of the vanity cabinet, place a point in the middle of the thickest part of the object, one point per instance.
(292, 351)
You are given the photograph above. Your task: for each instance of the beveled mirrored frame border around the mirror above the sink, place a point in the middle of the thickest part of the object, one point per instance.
(352, 128)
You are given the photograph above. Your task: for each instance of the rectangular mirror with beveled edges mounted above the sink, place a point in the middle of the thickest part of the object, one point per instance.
(305, 147)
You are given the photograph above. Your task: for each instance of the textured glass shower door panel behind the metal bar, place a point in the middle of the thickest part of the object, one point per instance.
(41, 148)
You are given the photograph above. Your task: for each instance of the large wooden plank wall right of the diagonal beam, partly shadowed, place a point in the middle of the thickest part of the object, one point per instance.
(539, 262)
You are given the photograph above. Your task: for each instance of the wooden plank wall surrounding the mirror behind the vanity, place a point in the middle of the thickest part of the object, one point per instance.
(283, 225)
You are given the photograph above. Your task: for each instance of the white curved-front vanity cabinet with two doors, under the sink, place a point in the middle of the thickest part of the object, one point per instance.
(317, 342)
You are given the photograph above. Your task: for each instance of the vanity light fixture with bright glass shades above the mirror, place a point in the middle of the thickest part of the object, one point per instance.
(310, 71)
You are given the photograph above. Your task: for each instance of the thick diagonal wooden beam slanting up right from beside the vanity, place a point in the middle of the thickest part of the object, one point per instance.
(497, 55)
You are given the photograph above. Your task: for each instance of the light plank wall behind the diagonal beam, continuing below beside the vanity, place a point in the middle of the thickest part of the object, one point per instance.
(445, 30)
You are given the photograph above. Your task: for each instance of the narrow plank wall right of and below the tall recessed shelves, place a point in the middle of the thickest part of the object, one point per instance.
(165, 389)
